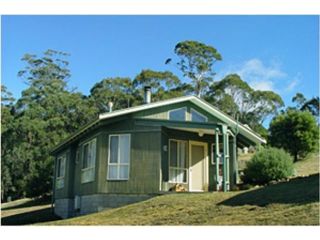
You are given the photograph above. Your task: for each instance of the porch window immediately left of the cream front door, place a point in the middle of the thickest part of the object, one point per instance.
(178, 161)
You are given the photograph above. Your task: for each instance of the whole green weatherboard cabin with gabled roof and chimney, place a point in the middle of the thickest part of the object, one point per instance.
(132, 154)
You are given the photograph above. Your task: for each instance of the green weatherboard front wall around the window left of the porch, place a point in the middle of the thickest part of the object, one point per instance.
(145, 157)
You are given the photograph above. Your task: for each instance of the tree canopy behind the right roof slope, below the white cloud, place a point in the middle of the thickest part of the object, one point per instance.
(235, 97)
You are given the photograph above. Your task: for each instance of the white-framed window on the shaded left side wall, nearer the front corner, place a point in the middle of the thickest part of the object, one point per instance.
(88, 161)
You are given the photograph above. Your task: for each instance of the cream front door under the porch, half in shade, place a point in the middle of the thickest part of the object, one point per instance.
(198, 166)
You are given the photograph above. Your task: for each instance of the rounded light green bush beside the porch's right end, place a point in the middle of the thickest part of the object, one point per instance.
(267, 165)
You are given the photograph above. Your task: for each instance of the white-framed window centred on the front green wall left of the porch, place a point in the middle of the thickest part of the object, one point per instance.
(119, 157)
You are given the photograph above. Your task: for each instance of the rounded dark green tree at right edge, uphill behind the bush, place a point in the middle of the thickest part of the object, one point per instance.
(295, 131)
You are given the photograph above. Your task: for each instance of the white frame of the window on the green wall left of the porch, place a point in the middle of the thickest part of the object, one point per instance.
(118, 164)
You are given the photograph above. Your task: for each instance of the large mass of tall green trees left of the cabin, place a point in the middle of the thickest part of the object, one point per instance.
(44, 115)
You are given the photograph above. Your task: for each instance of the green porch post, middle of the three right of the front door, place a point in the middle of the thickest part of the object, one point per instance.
(226, 177)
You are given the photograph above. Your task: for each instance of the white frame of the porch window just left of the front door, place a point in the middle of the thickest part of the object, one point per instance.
(186, 169)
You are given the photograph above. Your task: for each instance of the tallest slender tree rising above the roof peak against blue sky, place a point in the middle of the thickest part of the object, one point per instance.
(196, 63)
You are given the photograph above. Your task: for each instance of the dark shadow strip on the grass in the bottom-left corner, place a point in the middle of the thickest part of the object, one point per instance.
(42, 215)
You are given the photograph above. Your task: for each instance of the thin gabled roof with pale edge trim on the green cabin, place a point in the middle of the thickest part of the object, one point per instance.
(246, 131)
